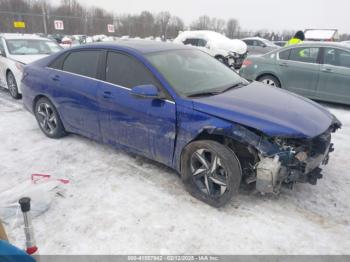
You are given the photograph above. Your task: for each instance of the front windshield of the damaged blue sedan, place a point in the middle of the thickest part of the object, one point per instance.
(192, 72)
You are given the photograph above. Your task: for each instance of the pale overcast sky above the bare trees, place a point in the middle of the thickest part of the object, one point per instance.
(252, 14)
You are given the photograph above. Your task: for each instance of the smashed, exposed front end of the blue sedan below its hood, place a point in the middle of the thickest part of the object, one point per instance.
(272, 162)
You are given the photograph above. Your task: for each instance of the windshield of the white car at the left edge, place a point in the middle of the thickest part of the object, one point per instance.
(31, 47)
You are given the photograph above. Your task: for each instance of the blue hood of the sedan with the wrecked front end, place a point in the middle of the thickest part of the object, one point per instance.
(273, 111)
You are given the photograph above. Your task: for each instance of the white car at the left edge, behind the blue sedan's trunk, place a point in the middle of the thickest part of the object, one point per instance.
(17, 50)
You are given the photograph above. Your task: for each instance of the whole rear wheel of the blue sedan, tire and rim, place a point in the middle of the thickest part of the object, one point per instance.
(48, 118)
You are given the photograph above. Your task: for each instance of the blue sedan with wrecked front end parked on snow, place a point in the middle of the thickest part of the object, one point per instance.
(181, 107)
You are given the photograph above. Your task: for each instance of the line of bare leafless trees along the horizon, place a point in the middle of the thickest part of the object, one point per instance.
(79, 19)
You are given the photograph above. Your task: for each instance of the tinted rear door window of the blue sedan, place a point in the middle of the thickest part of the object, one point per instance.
(83, 63)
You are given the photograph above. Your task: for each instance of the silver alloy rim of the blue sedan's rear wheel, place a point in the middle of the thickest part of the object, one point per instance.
(47, 118)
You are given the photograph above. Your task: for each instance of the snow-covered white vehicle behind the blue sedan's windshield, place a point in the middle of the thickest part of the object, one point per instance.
(232, 52)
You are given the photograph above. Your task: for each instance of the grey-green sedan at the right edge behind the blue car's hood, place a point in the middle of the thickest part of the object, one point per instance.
(319, 71)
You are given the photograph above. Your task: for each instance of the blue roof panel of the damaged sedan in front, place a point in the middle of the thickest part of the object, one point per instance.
(141, 46)
